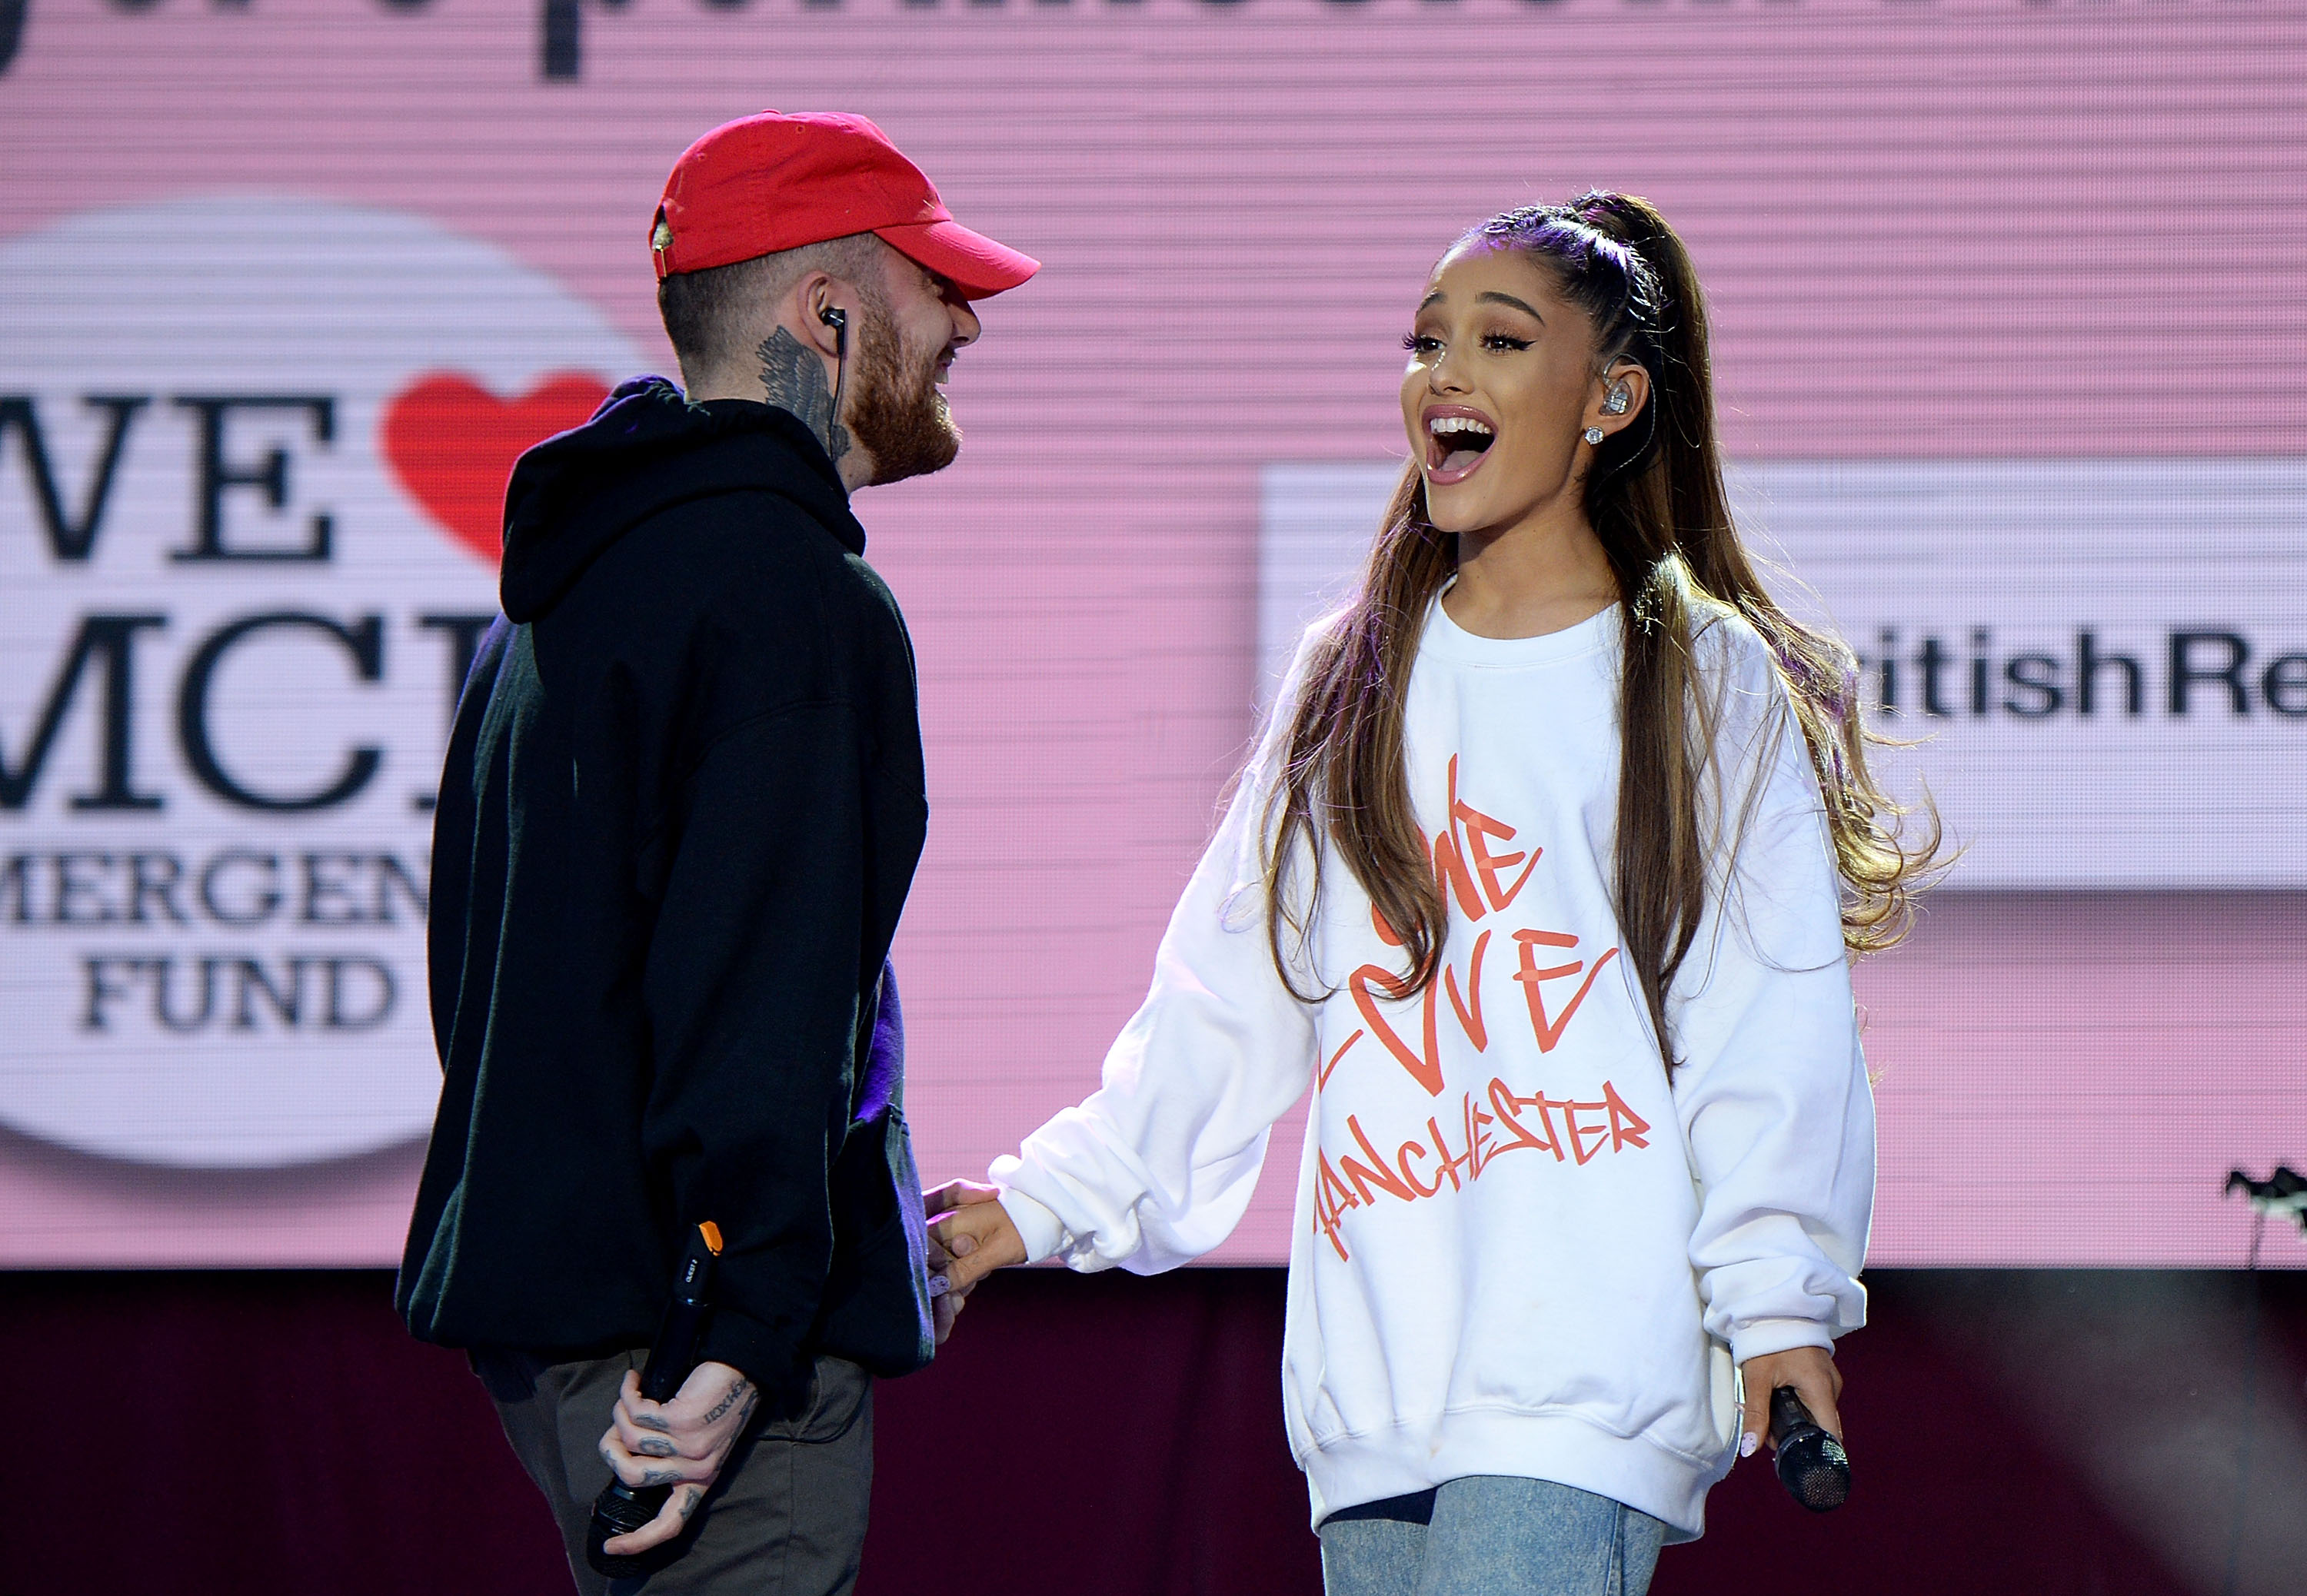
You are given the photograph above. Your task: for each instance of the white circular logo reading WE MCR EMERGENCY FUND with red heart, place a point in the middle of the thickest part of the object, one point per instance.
(250, 509)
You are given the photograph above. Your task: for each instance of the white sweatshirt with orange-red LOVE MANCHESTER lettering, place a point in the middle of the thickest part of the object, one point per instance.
(1519, 1251)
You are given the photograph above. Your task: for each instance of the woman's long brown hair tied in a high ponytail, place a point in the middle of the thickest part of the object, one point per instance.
(1658, 504)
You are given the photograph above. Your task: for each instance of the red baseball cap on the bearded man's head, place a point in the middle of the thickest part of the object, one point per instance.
(774, 181)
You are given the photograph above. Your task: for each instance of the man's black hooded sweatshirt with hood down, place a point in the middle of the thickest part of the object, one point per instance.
(682, 813)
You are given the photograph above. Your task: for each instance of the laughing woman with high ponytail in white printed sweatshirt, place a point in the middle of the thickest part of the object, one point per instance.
(1545, 875)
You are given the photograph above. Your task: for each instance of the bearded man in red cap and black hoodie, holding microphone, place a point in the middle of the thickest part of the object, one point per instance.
(682, 811)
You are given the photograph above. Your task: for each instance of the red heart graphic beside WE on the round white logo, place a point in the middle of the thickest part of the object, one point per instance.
(453, 444)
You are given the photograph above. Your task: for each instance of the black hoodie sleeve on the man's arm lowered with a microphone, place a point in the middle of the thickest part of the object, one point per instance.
(753, 1007)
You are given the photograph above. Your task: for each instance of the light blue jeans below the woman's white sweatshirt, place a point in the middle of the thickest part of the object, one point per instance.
(1491, 1535)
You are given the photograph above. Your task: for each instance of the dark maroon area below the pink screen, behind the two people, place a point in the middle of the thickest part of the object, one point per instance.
(278, 1433)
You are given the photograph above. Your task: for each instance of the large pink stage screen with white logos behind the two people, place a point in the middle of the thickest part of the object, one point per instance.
(2006, 296)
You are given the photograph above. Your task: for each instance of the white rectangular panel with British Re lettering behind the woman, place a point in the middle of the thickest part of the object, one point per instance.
(2105, 661)
